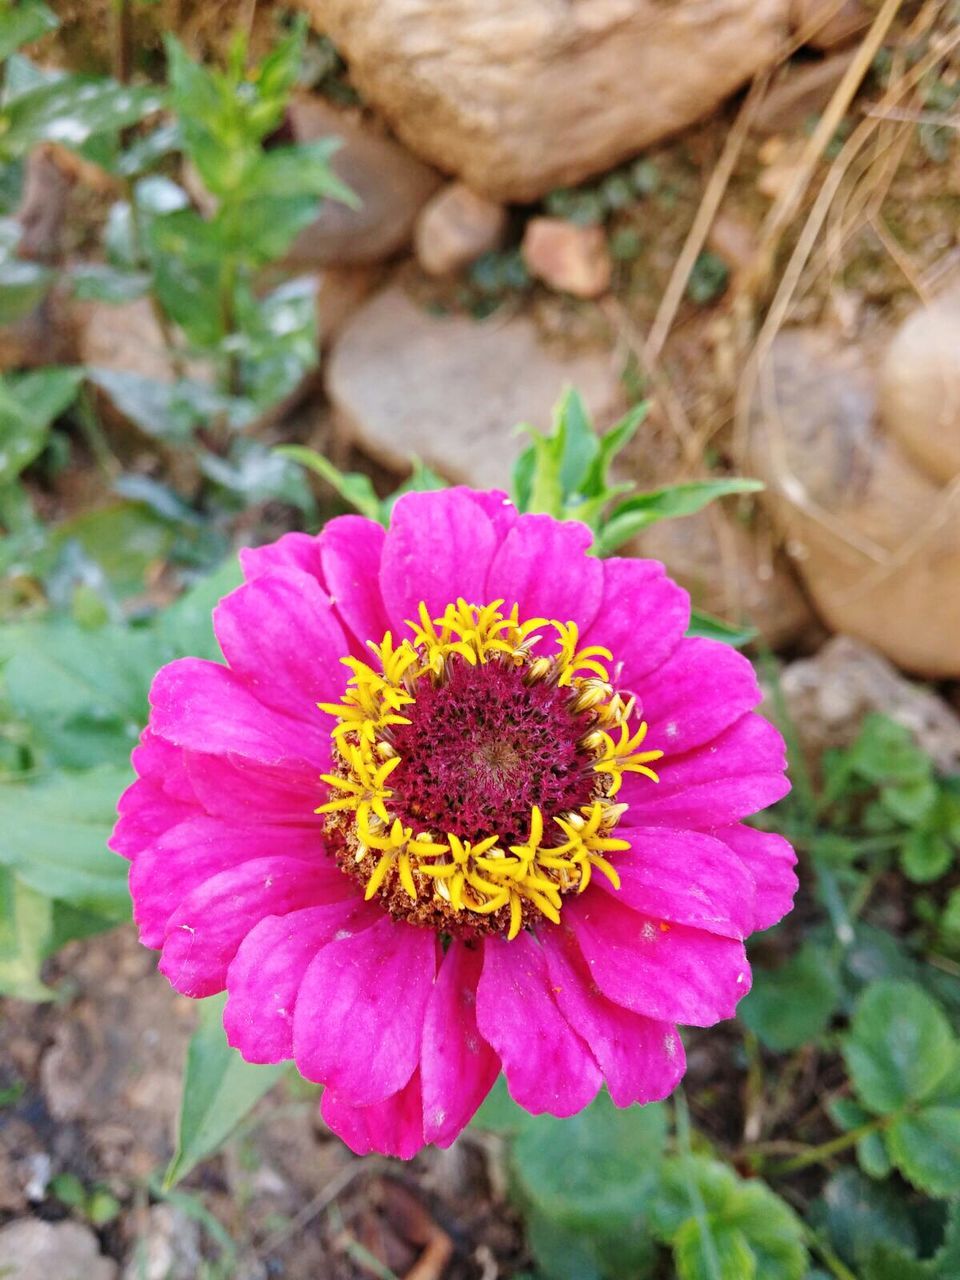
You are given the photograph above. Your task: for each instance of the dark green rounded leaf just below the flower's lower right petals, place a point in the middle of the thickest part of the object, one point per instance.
(794, 1005)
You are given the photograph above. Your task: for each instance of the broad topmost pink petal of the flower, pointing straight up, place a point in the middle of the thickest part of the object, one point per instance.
(438, 548)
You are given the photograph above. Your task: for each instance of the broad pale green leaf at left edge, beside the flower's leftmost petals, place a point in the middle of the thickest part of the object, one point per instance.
(54, 834)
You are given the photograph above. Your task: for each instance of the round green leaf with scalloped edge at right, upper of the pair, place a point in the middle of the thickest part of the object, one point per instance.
(900, 1046)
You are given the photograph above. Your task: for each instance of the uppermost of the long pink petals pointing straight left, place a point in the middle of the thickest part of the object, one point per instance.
(207, 707)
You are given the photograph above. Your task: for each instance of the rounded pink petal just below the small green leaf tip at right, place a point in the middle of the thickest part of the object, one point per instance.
(702, 689)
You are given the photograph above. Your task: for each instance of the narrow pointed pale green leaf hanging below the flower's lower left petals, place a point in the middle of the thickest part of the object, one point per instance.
(220, 1091)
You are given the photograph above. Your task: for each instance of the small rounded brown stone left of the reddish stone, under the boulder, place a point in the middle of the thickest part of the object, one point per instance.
(456, 227)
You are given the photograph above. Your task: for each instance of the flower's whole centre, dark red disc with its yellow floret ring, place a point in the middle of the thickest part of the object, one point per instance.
(477, 767)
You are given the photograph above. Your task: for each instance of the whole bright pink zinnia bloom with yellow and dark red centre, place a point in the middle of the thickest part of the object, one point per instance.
(464, 799)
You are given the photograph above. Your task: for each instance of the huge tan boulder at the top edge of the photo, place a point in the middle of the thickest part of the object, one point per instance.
(519, 99)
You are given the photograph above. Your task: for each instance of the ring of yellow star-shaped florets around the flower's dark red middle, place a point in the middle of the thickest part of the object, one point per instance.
(454, 876)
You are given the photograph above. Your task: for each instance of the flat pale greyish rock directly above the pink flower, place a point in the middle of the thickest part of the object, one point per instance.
(452, 390)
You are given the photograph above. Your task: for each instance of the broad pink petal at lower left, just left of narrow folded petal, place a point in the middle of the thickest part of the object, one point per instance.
(359, 1021)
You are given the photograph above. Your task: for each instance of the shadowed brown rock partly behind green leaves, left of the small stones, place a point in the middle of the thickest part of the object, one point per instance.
(391, 185)
